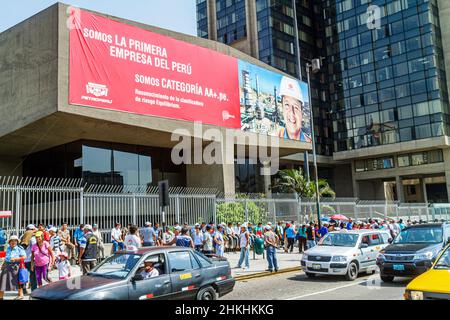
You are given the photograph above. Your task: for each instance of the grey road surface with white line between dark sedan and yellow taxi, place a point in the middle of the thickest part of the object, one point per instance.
(296, 286)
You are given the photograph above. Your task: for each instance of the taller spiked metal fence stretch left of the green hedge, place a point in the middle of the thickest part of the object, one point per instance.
(54, 201)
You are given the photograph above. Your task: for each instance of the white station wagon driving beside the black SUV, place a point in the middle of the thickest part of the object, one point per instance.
(345, 252)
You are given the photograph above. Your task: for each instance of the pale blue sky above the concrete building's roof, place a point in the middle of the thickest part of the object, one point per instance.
(176, 15)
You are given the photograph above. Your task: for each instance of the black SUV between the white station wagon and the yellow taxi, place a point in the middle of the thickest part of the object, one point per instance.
(413, 251)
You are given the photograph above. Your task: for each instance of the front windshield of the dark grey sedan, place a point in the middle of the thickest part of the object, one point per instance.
(116, 266)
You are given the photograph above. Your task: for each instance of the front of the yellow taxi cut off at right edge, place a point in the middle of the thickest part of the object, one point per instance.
(433, 284)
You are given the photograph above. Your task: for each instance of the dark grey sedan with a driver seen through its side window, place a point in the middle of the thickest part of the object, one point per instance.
(183, 274)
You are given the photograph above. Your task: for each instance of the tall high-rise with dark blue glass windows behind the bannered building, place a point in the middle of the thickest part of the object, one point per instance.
(381, 103)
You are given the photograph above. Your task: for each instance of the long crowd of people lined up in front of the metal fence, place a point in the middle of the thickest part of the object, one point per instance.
(40, 249)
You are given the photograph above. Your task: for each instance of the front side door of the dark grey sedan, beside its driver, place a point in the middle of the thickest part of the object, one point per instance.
(159, 287)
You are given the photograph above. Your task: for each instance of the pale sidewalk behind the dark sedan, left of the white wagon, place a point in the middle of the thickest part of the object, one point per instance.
(259, 265)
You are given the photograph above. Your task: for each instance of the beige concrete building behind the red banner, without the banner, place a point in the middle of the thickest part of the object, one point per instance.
(42, 135)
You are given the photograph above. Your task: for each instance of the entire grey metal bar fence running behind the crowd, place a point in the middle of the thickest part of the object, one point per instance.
(53, 201)
